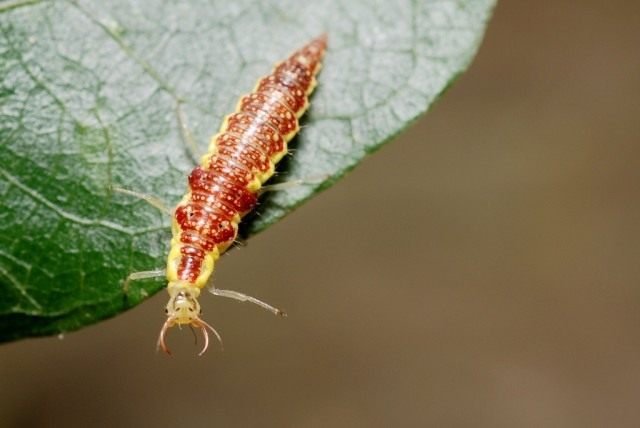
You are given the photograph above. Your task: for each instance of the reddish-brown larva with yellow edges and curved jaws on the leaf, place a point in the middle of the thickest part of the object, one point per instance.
(226, 184)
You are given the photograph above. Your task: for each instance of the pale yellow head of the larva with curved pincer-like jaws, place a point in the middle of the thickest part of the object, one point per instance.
(183, 309)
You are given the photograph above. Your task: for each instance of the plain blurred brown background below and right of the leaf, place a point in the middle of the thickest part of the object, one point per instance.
(480, 271)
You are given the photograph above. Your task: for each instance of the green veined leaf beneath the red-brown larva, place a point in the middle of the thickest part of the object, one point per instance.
(89, 94)
